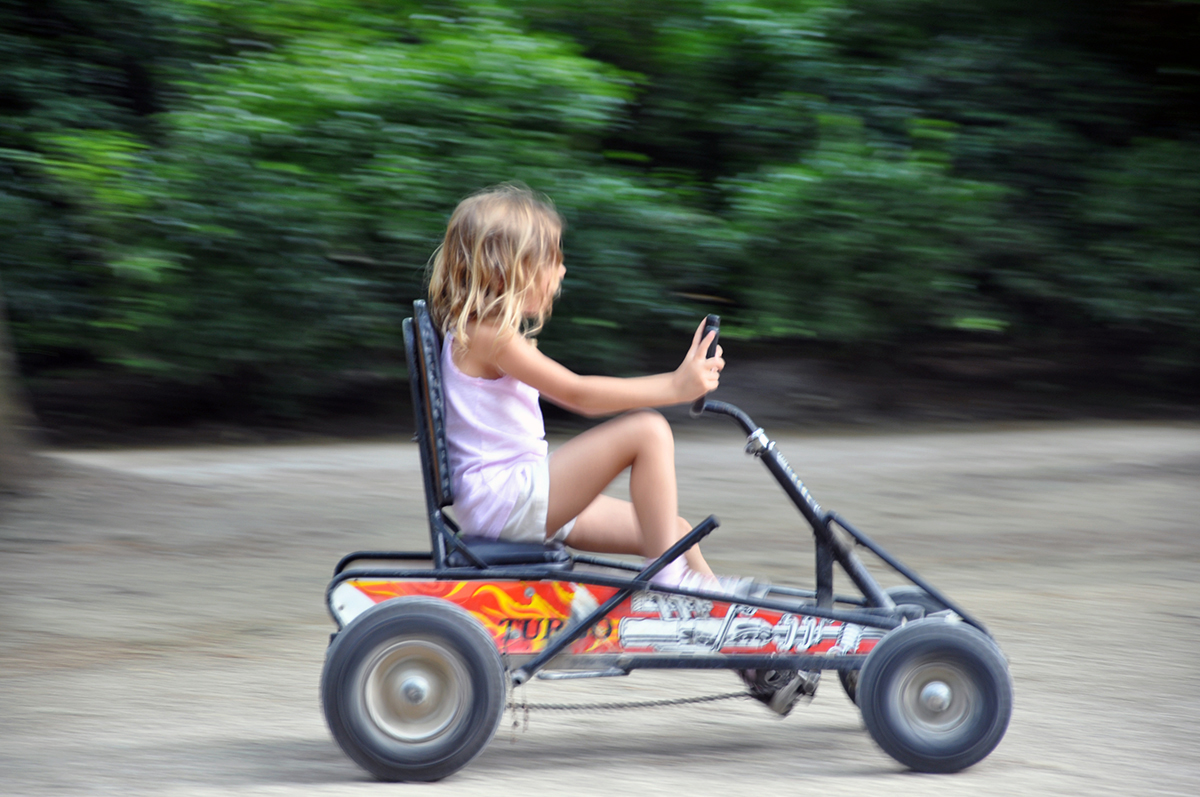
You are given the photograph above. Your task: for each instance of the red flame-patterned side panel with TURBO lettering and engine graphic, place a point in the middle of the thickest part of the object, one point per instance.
(524, 615)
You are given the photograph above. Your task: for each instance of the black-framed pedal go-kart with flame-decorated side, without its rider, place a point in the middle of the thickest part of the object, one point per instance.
(429, 643)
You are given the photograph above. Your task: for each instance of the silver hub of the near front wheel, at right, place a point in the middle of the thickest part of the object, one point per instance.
(937, 699)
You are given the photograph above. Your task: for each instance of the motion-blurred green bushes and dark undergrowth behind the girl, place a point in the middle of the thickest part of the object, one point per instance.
(221, 212)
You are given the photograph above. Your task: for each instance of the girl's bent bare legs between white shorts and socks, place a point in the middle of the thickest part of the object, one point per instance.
(586, 465)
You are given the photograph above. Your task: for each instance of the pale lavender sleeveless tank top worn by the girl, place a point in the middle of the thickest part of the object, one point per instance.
(495, 434)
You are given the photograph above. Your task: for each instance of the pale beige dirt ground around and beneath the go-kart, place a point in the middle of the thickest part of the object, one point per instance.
(164, 630)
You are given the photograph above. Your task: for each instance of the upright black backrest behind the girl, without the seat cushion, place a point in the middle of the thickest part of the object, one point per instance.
(423, 349)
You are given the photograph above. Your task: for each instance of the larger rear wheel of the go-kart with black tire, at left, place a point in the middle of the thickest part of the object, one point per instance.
(413, 690)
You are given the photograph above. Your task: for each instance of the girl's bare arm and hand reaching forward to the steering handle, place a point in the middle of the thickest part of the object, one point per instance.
(590, 395)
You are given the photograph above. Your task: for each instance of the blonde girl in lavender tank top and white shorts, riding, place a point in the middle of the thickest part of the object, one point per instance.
(493, 284)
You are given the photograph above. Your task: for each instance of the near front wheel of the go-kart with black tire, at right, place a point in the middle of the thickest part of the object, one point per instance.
(937, 696)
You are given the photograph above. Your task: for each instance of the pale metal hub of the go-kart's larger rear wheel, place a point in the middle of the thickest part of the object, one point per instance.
(416, 691)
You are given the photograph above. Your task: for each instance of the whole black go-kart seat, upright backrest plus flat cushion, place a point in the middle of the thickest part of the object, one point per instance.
(423, 349)
